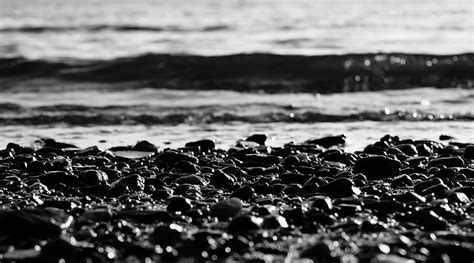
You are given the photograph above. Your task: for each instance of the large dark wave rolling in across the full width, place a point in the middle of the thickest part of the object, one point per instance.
(255, 72)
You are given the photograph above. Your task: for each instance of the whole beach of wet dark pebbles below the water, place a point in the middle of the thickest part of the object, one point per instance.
(397, 200)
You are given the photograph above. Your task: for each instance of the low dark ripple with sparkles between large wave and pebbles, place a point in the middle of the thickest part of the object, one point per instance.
(82, 115)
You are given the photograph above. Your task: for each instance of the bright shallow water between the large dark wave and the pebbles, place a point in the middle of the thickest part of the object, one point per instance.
(212, 113)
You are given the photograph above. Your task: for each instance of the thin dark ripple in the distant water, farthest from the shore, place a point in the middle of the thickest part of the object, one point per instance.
(117, 28)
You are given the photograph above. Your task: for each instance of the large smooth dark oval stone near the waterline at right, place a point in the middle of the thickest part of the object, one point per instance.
(377, 167)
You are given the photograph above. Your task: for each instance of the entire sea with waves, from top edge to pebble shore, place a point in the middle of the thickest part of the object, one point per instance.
(114, 72)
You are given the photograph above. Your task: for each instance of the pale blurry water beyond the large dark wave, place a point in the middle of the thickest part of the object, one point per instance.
(106, 29)
